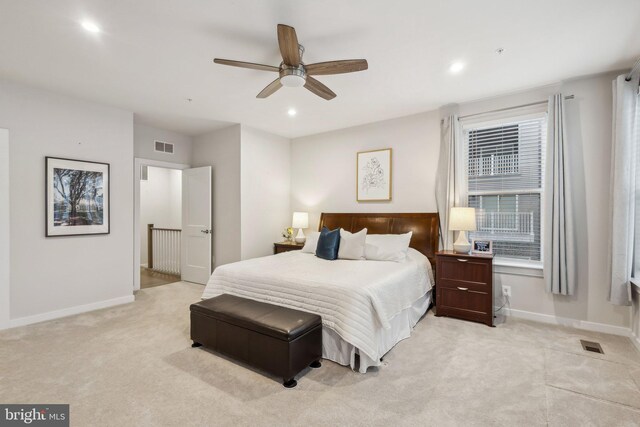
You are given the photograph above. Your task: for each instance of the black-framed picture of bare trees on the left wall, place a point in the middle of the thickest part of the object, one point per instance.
(77, 197)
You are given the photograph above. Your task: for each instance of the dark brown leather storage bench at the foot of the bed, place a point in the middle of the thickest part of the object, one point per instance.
(278, 340)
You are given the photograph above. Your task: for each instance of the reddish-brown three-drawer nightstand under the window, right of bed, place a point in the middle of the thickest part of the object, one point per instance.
(464, 286)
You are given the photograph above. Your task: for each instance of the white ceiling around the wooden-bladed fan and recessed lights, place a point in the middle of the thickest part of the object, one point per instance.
(152, 55)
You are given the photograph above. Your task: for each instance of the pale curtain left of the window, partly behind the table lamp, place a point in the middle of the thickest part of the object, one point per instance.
(449, 176)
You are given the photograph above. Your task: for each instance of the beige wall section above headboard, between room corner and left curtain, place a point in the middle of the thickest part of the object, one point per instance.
(323, 167)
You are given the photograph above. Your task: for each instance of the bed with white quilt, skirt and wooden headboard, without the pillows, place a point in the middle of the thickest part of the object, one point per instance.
(367, 307)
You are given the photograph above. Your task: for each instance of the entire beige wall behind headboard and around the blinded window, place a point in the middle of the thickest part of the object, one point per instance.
(323, 179)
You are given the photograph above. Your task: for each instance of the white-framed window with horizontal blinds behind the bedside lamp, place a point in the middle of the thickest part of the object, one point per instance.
(505, 183)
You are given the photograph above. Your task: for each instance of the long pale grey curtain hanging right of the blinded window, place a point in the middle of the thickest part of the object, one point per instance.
(559, 238)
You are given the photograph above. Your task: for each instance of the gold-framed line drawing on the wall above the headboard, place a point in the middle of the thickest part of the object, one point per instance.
(373, 176)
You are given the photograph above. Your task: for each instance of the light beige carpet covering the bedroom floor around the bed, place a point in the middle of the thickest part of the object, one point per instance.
(133, 365)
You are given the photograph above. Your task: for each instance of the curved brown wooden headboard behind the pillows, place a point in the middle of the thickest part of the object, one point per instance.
(424, 227)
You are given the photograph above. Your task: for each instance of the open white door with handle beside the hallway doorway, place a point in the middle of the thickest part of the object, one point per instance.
(196, 225)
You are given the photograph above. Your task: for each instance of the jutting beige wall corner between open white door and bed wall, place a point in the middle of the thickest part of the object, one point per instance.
(250, 190)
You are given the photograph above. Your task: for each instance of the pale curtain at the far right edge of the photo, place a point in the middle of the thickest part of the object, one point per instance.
(624, 184)
